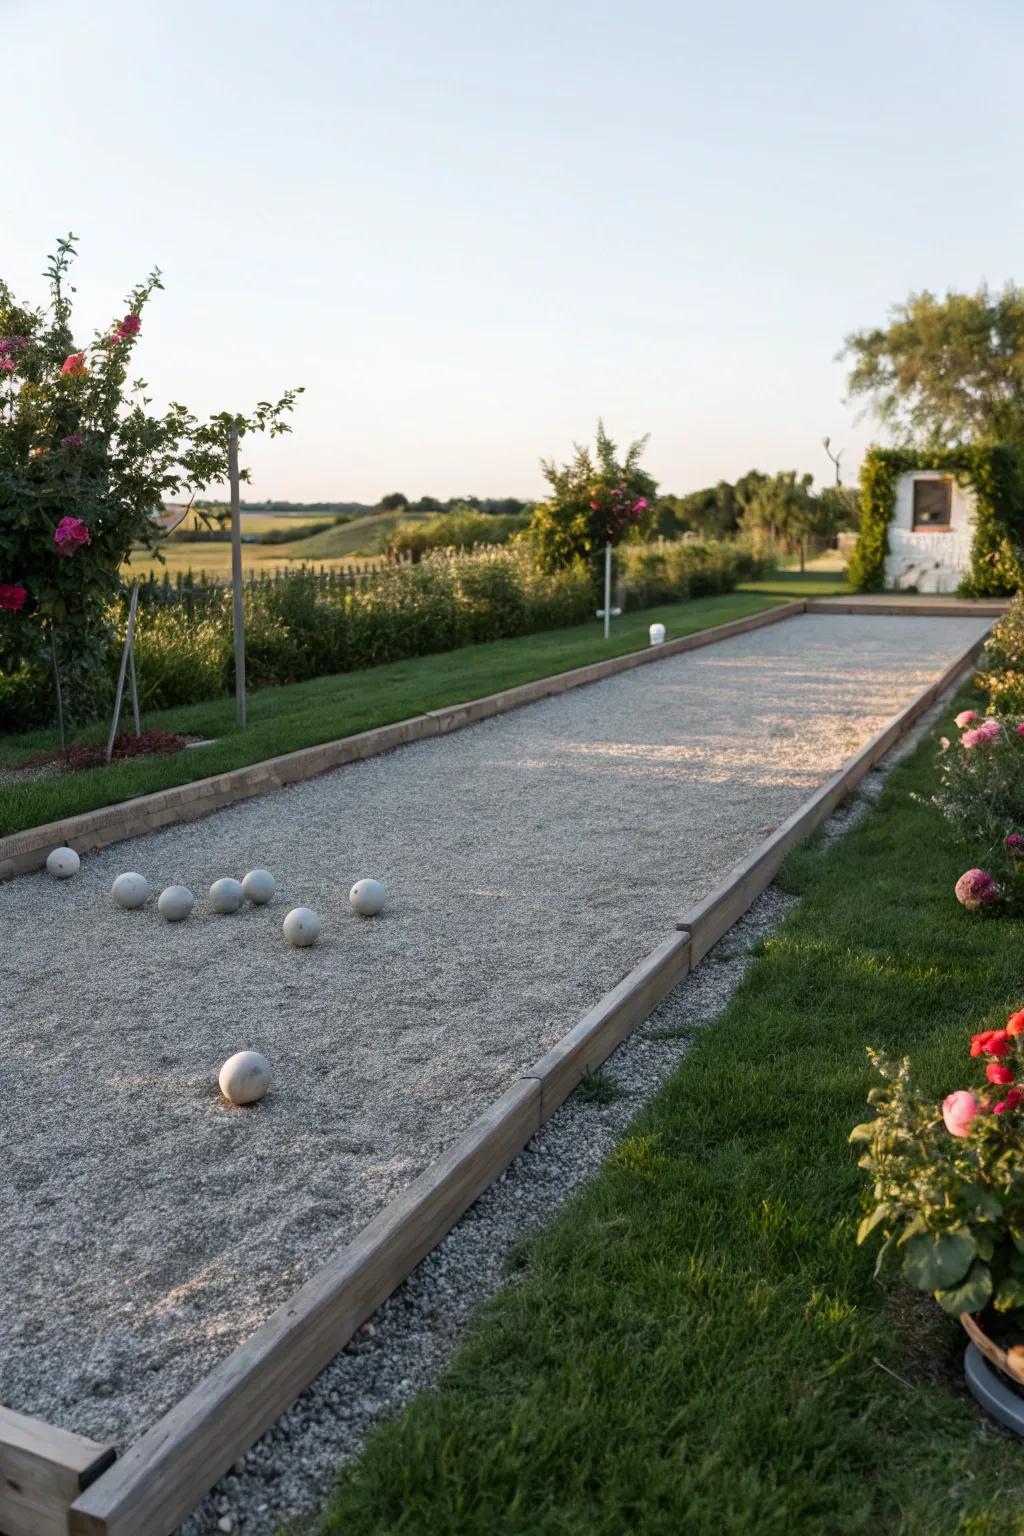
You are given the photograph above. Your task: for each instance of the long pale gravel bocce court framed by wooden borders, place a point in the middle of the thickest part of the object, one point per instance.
(530, 862)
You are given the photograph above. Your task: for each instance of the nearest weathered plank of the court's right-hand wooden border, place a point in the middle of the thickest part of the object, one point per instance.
(162, 1478)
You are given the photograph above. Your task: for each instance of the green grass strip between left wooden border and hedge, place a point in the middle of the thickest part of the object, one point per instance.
(303, 715)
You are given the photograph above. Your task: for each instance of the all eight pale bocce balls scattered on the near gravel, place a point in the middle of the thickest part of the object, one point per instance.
(246, 1076)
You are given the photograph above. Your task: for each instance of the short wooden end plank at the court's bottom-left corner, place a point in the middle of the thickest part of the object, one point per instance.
(42, 1471)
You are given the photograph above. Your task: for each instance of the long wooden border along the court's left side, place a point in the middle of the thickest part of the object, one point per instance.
(24, 852)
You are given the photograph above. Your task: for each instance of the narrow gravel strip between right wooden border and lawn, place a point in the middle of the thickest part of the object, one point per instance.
(289, 1474)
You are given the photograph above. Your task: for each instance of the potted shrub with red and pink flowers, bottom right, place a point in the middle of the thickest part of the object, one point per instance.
(948, 1179)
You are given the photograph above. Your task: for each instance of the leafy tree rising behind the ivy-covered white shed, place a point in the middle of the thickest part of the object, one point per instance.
(946, 371)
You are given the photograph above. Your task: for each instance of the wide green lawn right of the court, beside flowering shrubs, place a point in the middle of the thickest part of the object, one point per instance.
(696, 1345)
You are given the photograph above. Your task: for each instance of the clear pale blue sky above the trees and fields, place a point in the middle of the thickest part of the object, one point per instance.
(471, 228)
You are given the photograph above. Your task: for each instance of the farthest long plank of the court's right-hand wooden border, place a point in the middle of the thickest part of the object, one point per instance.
(716, 915)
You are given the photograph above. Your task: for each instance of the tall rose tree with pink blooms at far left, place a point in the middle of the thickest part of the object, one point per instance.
(85, 466)
